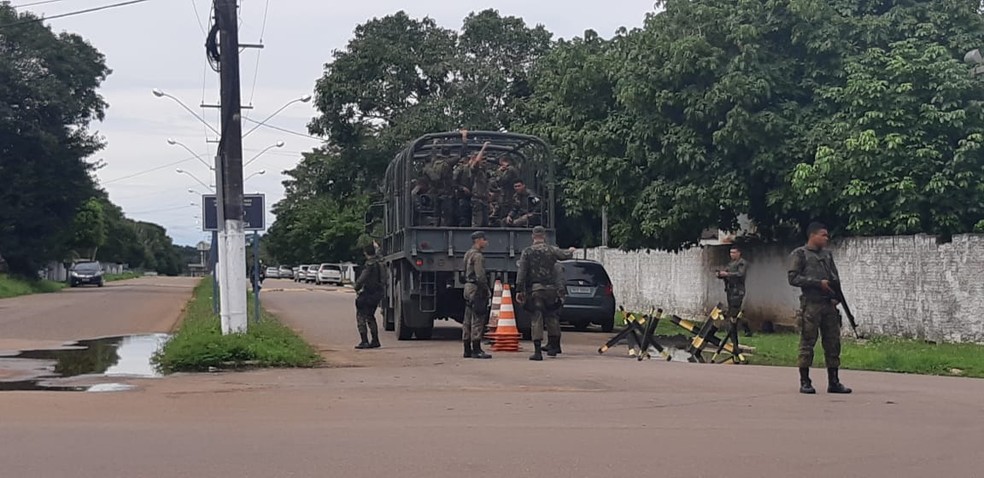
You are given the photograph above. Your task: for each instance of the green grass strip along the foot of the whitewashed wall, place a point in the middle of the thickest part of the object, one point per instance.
(880, 354)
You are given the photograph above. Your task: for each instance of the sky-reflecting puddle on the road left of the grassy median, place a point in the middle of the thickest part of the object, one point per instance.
(127, 356)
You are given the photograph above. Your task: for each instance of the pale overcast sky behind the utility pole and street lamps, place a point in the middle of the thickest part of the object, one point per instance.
(159, 44)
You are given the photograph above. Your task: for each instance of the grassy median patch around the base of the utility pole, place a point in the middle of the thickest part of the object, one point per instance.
(199, 343)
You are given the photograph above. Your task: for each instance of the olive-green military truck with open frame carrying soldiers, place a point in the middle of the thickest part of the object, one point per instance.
(424, 257)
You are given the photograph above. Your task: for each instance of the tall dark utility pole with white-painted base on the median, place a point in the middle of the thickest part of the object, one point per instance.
(229, 172)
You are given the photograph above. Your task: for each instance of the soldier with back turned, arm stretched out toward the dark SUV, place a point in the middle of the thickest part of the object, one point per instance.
(537, 283)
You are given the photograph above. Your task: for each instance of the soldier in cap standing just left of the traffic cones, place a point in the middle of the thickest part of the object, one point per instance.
(477, 295)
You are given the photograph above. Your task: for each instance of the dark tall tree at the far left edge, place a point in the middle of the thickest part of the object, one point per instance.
(48, 97)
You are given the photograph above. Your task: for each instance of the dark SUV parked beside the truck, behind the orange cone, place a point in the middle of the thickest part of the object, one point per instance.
(590, 297)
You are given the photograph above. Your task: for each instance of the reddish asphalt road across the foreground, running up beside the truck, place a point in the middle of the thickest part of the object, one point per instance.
(417, 409)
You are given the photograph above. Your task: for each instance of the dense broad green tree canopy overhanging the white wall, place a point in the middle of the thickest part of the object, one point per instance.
(705, 113)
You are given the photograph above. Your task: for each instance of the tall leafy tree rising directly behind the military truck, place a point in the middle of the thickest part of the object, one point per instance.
(398, 78)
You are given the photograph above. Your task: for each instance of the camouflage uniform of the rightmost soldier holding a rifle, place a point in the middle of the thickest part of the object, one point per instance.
(817, 314)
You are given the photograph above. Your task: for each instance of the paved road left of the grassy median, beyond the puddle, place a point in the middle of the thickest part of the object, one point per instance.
(136, 306)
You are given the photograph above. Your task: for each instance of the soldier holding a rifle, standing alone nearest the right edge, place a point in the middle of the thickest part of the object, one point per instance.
(812, 269)
